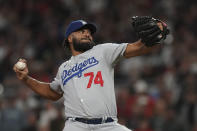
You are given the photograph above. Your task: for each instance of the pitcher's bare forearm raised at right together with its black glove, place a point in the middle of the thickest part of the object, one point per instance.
(151, 32)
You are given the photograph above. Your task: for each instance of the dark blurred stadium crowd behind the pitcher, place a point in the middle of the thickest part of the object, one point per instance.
(155, 92)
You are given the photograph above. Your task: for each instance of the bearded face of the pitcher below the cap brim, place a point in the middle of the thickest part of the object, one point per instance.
(82, 40)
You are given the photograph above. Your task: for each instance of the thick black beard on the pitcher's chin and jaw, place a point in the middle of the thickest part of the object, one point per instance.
(82, 46)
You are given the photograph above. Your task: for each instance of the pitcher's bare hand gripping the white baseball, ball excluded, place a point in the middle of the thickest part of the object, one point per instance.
(21, 74)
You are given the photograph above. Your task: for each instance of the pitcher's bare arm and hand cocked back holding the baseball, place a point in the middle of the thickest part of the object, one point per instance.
(41, 88)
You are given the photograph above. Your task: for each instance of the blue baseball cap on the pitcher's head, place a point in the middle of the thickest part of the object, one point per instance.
(78, 24)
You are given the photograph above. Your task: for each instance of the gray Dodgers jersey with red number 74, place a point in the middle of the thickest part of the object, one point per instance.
(87, 82)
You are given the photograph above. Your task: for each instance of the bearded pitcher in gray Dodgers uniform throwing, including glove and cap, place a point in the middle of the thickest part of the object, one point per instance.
(86, 80)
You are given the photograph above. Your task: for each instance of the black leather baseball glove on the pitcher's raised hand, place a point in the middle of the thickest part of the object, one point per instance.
(150, 30)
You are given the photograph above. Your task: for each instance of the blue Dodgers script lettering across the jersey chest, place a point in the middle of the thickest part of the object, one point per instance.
(78, 69)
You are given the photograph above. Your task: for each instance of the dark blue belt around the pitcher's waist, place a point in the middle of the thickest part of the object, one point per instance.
(93, 120)
